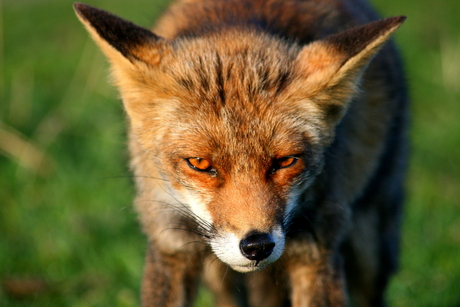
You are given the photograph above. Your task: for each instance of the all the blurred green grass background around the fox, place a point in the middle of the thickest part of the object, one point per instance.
(68, 234)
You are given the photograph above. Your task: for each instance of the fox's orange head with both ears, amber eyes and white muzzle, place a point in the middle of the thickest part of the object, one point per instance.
(235, 122)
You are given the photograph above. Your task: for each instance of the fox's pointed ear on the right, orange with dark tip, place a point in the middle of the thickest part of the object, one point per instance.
(333, 66)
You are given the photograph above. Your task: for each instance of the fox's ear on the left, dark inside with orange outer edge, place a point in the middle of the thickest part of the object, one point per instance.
(131, 50)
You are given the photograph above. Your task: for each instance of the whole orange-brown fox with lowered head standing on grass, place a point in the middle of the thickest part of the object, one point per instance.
(268, 146)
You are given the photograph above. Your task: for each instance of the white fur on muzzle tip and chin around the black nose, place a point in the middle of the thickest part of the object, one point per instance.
(227, 249)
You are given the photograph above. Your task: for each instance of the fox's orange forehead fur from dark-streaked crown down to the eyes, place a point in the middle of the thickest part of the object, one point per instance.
(223, 89)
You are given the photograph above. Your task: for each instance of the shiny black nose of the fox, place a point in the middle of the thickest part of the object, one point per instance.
(257, 246)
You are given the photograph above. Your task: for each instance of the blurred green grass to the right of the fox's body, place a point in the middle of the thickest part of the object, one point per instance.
(430, 266)
